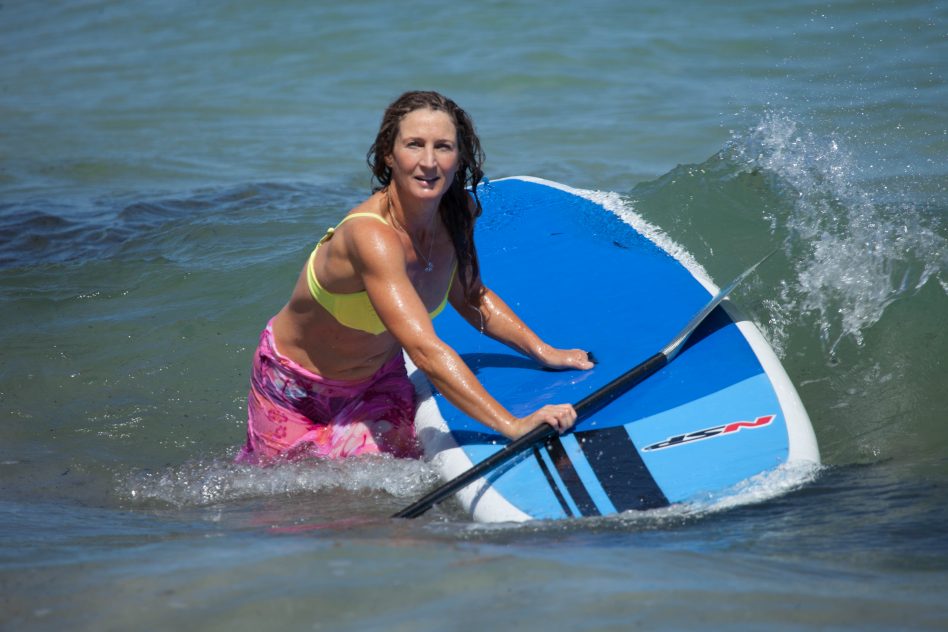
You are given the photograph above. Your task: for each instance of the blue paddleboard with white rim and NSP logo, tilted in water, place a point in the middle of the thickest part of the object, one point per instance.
(583, 271)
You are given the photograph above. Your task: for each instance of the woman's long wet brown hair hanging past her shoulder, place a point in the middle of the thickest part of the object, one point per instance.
(457, 213)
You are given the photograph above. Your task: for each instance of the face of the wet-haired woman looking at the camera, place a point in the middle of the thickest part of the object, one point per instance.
(425, 156)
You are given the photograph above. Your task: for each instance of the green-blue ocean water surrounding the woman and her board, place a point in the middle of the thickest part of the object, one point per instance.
(165, 166)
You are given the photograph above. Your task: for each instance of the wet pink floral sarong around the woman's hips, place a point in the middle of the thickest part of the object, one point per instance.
(294, 413)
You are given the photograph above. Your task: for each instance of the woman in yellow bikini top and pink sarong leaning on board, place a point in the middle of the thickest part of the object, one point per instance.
(329, 377)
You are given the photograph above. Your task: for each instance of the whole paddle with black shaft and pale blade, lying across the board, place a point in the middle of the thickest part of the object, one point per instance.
(584, 407)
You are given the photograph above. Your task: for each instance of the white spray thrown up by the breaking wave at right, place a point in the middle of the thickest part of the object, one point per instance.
(853, 254)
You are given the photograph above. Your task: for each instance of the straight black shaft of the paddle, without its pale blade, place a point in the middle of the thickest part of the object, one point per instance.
(584, 407)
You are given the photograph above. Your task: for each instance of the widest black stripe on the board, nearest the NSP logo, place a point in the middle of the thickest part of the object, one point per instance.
(620, 469)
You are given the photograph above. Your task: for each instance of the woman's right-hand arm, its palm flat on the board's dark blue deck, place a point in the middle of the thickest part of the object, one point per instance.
(496, 319)
